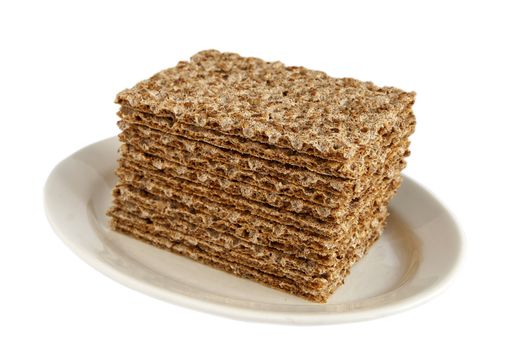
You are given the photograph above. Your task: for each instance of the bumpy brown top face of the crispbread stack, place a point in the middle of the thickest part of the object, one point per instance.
(289, 107)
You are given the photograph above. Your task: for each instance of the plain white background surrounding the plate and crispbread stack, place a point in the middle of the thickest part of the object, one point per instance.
(63, 63)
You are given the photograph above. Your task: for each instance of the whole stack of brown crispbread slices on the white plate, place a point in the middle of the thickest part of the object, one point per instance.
(278, 174)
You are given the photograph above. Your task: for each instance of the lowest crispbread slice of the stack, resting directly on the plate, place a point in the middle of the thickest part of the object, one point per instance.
(199, 253)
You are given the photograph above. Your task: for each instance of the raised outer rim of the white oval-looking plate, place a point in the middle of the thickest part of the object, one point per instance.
(251, 314)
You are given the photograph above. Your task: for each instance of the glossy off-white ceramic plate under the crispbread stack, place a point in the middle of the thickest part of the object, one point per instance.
(413, 260)
